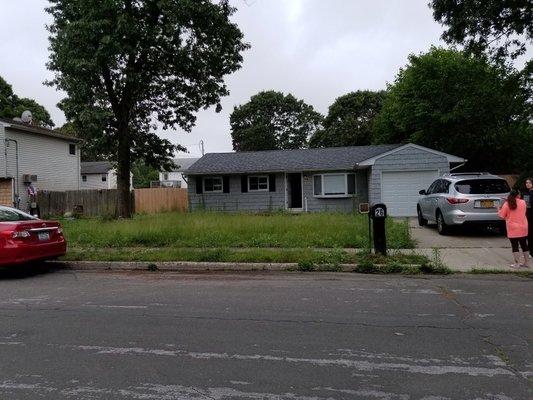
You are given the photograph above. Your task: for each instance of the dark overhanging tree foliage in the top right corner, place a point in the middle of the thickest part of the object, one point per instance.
(500, 27)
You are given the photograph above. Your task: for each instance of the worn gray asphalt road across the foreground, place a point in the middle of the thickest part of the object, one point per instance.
(67, 335)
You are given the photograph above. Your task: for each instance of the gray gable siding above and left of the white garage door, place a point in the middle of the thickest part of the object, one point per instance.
(408, 159)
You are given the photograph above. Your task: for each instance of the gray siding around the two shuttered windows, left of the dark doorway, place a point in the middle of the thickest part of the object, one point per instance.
(235, 200)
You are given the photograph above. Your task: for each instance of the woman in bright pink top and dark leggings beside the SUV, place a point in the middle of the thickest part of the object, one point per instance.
(514, 213)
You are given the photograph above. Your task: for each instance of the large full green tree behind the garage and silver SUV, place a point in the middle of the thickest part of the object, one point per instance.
(461, 105)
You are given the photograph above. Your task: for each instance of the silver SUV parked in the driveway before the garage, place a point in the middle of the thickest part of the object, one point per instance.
(461, 199)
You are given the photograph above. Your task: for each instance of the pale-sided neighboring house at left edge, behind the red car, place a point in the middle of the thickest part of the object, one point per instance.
(36, 156)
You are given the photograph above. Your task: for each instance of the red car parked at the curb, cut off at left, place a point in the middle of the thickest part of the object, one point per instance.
(24, 238)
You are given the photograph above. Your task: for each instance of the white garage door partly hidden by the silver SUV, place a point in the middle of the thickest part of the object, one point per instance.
(399, 190)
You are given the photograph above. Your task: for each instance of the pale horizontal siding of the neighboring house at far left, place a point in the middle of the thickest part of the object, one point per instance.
(46, 157)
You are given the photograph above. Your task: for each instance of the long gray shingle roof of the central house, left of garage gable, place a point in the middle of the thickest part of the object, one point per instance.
(323, 159)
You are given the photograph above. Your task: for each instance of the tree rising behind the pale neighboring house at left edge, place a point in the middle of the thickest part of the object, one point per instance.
(12, 106)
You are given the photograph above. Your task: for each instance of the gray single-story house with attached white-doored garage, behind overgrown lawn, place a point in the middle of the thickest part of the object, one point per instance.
(326, 179)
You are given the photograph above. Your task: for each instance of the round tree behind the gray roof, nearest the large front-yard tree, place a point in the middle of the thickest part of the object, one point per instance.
(273, 121)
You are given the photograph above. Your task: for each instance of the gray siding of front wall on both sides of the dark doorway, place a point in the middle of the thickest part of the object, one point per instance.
(235, 200)
